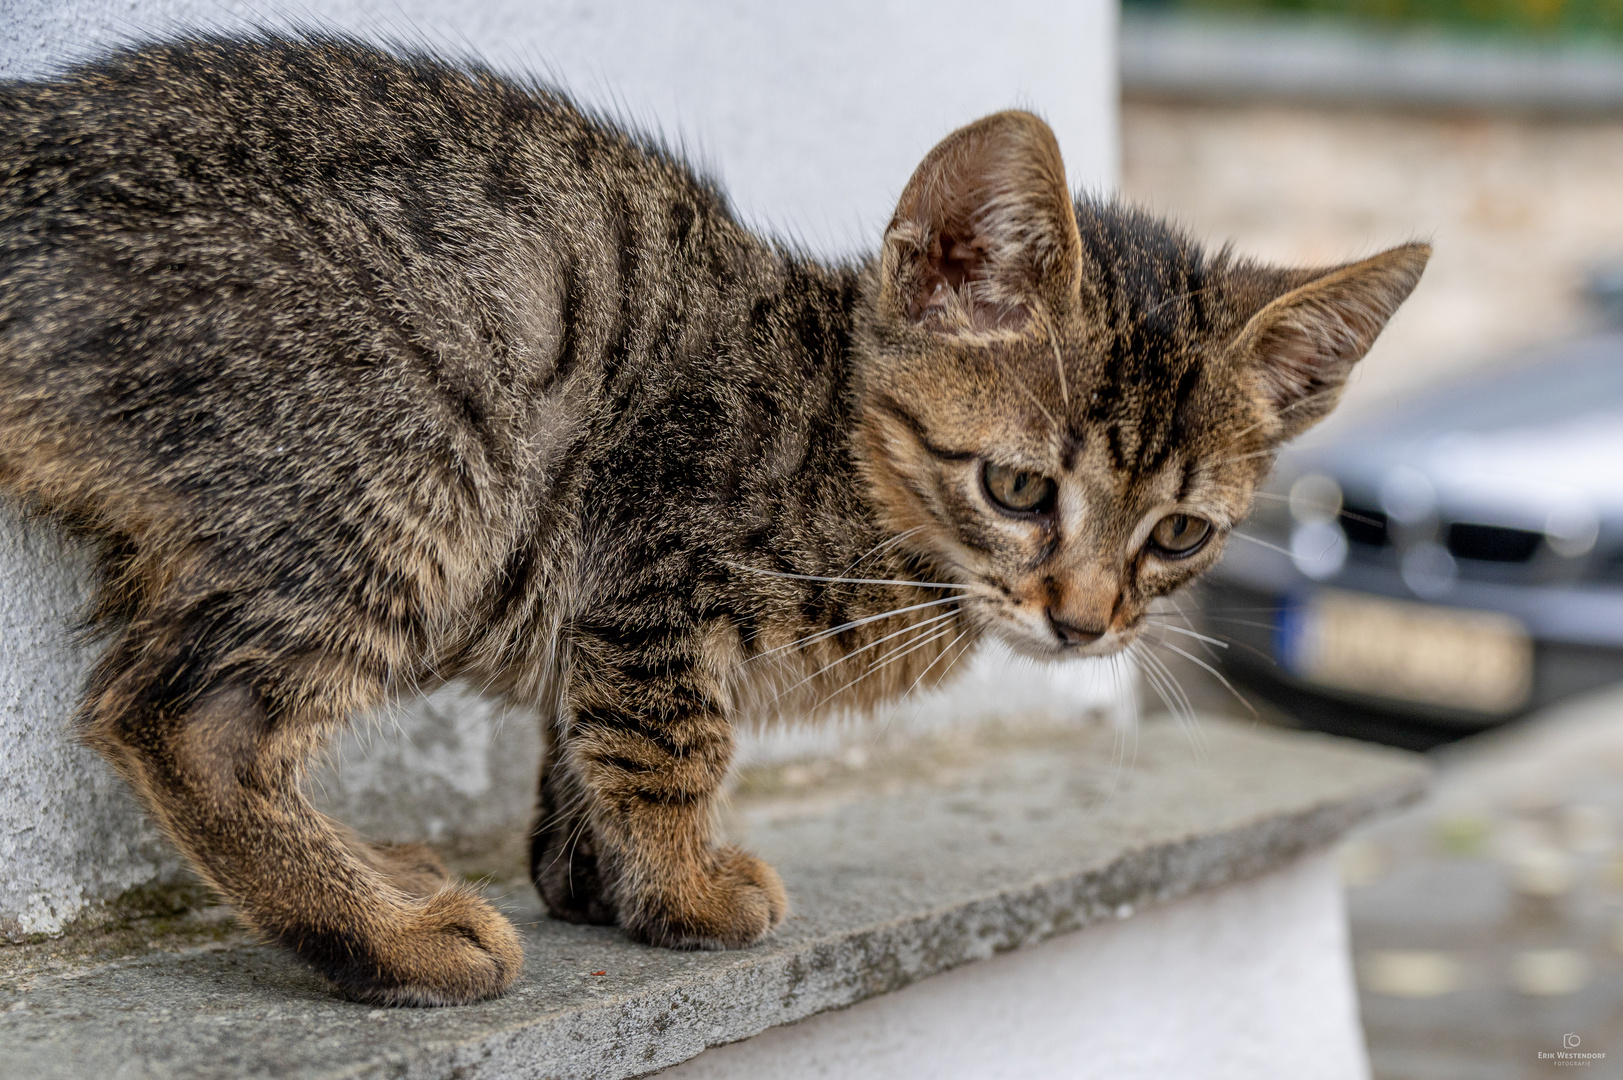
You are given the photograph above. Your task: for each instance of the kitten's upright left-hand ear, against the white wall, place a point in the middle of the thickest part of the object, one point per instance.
(984, 231)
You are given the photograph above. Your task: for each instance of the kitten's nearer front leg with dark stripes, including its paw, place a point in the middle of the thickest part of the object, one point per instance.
(648, 756)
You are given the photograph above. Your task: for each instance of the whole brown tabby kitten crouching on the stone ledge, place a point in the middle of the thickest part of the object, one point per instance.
(366, 371)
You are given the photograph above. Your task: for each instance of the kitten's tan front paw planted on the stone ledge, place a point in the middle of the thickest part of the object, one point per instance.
(734, 902)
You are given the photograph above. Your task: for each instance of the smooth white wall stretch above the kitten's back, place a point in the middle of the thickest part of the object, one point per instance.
(814, 113)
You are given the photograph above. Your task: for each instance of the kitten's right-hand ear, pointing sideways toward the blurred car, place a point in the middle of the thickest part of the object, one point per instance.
(1302, 347)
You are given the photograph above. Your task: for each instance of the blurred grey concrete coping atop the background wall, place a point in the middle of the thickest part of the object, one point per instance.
(1328, 63)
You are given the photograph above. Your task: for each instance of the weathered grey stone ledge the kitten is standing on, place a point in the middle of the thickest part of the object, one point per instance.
(898, 871)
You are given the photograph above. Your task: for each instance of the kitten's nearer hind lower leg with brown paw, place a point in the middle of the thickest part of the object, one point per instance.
(222, 775)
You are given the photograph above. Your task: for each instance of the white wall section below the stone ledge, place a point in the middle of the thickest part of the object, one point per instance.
(1242, 983)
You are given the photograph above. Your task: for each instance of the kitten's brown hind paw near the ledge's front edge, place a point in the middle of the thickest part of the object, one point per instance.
(450, 949)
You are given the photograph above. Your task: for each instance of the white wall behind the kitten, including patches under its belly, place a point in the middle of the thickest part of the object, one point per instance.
(814, 116)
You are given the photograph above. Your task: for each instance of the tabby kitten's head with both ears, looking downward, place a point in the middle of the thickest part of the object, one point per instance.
(1067, 407)
